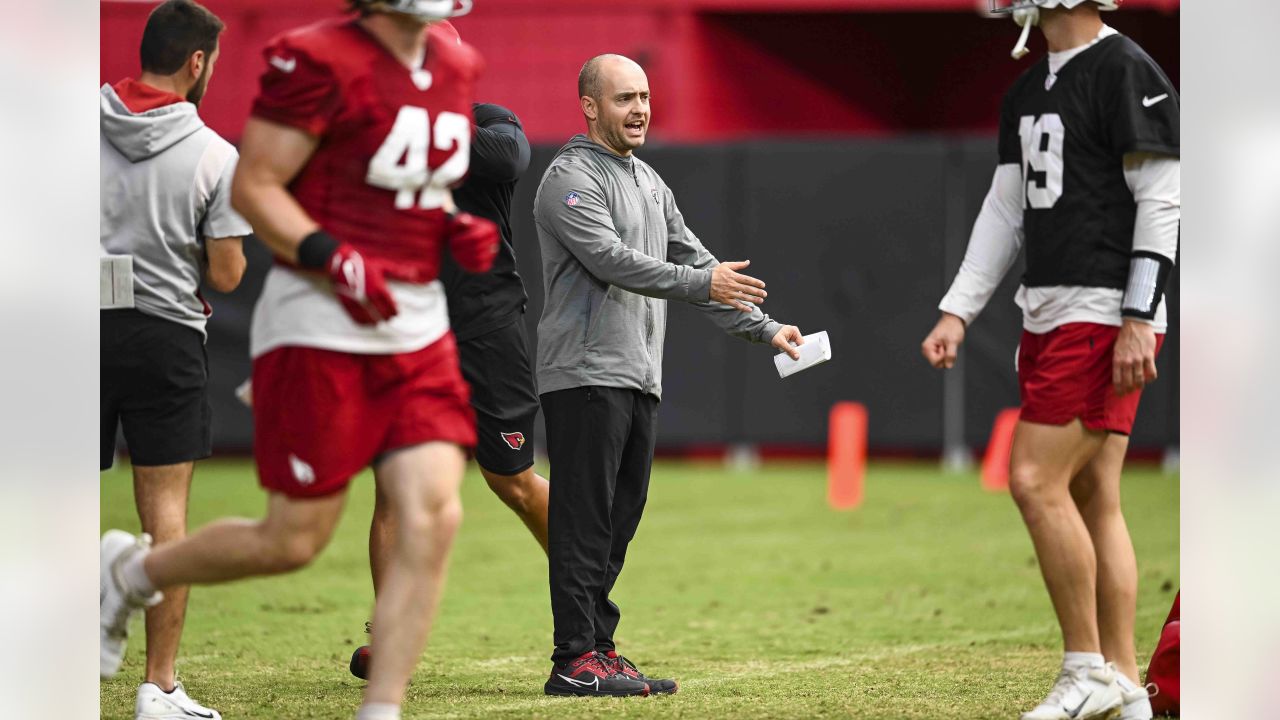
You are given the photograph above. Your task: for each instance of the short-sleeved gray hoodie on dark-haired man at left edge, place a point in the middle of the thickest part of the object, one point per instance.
(166, 188)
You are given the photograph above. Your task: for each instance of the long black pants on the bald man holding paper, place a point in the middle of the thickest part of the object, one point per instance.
(600, 441)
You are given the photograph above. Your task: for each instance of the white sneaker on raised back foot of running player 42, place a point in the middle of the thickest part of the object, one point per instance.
(116, 604)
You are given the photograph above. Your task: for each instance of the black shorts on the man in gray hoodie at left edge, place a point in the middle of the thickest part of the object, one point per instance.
(154, 375)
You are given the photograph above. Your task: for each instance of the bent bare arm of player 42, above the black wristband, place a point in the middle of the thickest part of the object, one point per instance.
(272, 156)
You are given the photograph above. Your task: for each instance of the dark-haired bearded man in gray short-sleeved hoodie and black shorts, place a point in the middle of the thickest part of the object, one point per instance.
(167, 226)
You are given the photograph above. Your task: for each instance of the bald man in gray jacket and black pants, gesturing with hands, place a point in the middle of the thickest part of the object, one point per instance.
(615, 249)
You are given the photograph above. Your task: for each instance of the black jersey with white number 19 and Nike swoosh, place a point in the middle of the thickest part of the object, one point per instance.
(1071, 134)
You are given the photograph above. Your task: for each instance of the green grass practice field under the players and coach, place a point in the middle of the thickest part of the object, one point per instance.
(925, 604)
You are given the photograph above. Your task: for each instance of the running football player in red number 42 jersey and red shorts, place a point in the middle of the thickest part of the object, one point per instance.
(360, 129)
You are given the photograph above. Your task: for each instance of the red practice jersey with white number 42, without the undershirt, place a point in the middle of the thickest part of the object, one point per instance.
(392, 140)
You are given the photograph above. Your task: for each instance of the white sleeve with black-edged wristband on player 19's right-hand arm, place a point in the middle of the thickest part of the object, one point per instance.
(1156, 186)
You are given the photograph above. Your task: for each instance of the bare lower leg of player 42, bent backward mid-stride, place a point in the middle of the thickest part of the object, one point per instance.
(294, 532)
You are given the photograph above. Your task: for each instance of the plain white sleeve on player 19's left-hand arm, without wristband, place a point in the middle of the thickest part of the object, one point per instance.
(998, 236)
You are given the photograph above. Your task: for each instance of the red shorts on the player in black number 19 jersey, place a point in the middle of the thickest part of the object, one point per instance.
(1067, 373)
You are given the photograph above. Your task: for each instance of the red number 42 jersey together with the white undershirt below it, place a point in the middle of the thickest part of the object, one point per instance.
(394, 140)
